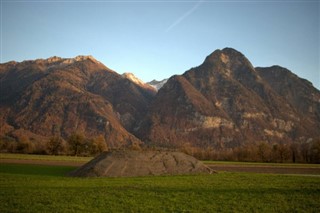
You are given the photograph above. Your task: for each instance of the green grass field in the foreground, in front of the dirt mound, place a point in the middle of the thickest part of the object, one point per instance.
(38, 188)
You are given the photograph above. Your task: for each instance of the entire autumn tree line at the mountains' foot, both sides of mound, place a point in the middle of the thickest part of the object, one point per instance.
(79, 145)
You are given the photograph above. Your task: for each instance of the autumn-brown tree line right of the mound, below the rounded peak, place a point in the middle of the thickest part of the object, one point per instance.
(305, 152)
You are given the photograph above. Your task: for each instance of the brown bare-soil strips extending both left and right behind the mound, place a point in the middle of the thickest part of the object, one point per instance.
(217, 167)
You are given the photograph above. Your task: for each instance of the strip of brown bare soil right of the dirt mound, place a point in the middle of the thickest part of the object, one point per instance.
(266, 169)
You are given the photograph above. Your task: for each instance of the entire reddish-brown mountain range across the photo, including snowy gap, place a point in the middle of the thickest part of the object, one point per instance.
(222, 103)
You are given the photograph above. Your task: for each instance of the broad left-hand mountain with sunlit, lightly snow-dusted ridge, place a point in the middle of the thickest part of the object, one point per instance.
(56, 97)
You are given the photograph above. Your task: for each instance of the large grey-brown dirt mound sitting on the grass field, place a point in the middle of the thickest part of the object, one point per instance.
(140, 163)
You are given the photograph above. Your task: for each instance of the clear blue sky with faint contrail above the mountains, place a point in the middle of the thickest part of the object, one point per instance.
(157, 39)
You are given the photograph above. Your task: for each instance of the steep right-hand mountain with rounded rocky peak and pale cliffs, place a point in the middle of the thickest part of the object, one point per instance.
(226, 102)
